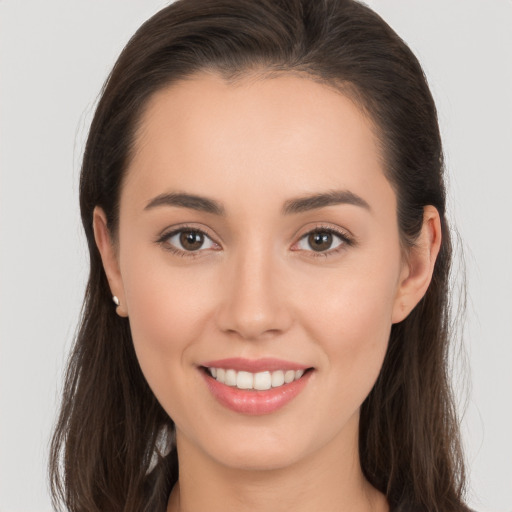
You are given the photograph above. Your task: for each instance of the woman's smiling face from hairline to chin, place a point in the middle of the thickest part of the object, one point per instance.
(258, 242)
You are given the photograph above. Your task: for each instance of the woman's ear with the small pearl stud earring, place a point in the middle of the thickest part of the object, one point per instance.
(109, 258)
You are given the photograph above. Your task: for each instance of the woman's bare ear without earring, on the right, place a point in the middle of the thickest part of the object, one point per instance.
(418, 268)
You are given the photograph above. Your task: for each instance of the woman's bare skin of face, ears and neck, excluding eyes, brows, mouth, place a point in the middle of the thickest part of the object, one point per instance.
(258, 289)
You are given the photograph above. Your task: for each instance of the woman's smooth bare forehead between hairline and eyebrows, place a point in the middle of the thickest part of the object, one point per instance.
(270, 136)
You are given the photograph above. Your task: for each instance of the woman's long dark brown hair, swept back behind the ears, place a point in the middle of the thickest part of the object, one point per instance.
(113, 447)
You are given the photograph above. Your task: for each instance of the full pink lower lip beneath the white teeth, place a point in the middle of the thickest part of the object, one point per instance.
(255, 402)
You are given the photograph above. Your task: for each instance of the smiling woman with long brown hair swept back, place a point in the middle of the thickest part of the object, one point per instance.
(266, 320)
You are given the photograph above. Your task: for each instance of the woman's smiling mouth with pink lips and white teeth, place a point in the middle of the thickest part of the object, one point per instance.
(268, 387)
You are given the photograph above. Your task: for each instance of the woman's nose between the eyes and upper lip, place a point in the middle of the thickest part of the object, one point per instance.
(254, 301)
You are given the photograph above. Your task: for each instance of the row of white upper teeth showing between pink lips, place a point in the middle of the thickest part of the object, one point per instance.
(260, 381)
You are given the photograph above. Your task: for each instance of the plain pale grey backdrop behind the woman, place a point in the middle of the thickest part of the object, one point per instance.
(55, 55)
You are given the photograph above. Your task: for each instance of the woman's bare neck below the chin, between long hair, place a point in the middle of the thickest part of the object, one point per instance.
(331, 481)
